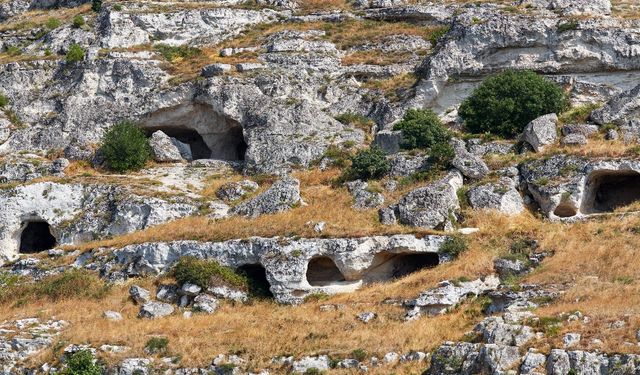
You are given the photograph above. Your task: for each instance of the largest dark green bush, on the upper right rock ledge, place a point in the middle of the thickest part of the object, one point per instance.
(505, 103)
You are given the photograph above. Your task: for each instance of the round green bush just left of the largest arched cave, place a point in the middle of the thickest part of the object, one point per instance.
(125, 147)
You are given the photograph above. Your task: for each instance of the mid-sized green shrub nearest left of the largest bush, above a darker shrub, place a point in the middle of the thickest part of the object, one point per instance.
(422, 129)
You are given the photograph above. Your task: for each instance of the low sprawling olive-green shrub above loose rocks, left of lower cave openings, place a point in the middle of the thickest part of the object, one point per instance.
(205, 273)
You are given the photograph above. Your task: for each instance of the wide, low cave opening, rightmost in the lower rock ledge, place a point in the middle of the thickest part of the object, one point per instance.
(388, 266)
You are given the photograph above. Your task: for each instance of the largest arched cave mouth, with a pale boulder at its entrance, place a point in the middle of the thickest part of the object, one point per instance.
(210, 134)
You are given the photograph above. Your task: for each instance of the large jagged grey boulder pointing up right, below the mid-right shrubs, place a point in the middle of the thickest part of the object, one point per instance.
(433, 206)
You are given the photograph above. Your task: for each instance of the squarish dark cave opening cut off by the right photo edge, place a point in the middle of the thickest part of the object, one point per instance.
(608, 190)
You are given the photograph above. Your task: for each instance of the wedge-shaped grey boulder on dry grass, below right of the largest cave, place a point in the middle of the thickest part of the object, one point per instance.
(281, 196)
